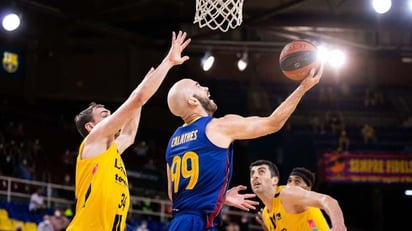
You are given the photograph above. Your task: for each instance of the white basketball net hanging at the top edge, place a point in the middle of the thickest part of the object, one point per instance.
(219, 14)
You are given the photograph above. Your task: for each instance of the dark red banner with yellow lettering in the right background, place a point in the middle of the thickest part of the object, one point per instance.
(367, 168)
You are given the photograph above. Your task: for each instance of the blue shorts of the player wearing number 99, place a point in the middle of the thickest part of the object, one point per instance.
(188, 222)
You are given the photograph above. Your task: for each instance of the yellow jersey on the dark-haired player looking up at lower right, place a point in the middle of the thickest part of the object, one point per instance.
(311, 219)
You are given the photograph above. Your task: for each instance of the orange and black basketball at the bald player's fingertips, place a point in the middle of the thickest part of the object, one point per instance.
(297, 58)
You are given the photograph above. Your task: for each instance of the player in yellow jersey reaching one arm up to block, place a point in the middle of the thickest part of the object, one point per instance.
(101, 186)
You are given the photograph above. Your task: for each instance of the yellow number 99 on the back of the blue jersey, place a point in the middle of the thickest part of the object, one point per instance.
(186, 166)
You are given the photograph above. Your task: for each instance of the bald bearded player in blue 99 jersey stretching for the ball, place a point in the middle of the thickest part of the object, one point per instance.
(199, 154)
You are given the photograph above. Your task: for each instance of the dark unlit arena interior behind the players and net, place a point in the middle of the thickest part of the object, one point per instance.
(74, 52)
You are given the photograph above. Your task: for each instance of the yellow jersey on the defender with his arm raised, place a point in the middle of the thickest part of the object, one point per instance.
(102, 192)
